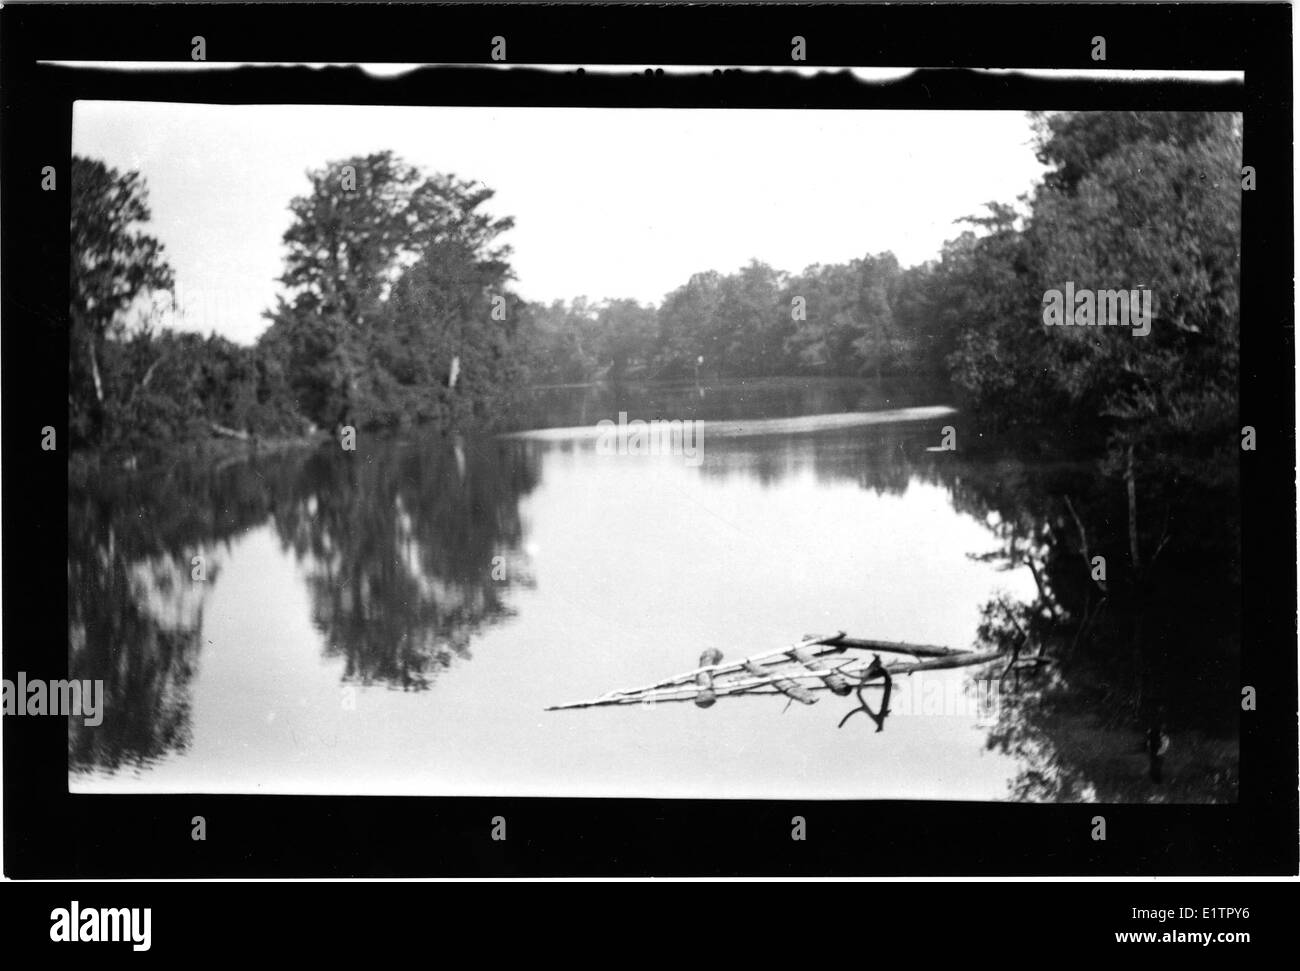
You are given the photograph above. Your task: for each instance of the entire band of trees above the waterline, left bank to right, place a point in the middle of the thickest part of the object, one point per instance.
(398, 309)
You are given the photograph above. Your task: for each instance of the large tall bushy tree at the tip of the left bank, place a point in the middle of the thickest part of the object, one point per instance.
(371, 228)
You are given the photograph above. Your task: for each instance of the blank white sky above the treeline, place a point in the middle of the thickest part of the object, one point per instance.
(608, 202)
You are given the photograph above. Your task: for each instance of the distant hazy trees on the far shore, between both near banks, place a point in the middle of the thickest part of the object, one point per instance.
(864, 318)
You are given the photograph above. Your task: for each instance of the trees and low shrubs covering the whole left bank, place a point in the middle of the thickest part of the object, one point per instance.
(396, 310)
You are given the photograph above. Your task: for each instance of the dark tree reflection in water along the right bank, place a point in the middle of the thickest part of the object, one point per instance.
(1138, 704)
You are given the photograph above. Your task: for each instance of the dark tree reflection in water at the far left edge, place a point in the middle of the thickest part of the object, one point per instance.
(133, 609)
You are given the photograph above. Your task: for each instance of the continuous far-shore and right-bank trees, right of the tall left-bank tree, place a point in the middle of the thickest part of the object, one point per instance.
(1132, 200)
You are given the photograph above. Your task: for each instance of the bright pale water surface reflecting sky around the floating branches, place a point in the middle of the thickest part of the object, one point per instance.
(640, 563)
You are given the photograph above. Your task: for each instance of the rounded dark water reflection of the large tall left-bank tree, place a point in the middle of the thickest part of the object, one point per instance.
(401, 549)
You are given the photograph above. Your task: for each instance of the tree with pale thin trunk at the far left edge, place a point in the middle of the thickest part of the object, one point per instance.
(114, 267)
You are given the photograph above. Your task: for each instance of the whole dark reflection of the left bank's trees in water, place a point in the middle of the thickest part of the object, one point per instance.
(408, 548)
